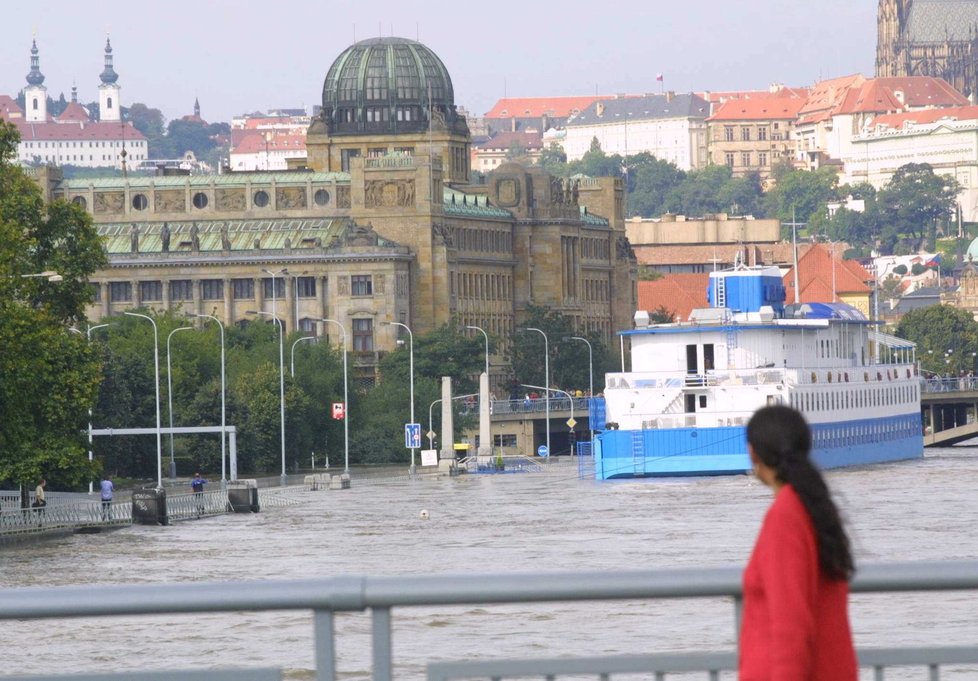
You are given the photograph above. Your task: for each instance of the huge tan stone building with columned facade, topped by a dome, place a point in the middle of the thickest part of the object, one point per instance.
(378, 225)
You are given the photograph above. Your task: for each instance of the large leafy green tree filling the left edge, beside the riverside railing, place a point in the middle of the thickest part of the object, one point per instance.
(48, 377)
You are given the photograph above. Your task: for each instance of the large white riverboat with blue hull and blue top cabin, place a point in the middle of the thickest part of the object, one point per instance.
(683, 409)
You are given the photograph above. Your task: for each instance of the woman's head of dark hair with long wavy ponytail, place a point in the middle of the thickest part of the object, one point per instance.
(782, 440)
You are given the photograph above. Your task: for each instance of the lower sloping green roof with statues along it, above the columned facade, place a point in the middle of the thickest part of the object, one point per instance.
(301, 233)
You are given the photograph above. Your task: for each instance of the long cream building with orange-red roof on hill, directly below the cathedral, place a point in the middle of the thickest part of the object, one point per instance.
(839, 109)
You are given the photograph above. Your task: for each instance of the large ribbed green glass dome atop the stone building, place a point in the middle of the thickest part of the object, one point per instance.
(387, 85)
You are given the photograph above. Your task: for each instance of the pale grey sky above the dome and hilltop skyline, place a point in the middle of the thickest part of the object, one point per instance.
(240, 56)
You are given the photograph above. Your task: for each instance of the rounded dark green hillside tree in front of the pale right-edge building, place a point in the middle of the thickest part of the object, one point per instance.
(913, 202)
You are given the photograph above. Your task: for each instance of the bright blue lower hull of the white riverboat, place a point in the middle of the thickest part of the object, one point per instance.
(723, 450)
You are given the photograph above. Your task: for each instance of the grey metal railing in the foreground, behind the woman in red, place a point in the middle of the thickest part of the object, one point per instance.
(381, 595)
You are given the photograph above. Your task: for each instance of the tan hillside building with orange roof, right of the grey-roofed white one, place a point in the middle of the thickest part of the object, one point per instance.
(754, 134)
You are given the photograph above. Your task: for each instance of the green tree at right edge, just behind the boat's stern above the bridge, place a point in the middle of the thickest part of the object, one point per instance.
(938, 329)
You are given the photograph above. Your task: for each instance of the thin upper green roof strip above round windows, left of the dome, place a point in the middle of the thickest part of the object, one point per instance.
(225, 180)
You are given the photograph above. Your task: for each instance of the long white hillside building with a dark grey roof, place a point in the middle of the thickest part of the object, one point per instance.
(671, 127)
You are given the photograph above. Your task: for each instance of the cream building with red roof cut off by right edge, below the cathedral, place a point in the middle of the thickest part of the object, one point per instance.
(946, 139)
